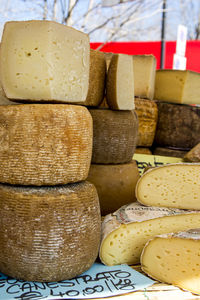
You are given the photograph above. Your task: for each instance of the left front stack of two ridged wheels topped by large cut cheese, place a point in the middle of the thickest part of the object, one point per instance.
(49, 215)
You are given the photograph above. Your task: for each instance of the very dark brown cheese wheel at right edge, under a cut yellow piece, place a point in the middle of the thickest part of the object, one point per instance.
(178, 126)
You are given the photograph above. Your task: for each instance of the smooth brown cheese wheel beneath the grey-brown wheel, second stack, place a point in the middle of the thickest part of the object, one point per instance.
(115, 184)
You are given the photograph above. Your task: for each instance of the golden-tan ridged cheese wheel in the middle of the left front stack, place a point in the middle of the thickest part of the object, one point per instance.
(44, 144)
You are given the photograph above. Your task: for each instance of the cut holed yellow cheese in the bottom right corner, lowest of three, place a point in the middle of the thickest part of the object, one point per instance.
(174, 259)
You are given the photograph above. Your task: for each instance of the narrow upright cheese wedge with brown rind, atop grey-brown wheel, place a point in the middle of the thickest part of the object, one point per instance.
(120, 83)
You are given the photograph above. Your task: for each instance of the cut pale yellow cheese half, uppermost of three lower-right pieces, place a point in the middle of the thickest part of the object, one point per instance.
(172, 185)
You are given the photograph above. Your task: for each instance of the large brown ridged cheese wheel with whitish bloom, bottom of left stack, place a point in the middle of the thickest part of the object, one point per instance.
(48, 233)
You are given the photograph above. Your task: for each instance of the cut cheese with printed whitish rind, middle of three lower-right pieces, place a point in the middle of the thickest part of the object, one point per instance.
(125, 232)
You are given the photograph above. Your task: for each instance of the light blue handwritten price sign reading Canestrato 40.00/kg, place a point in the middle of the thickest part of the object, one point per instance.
(98, 281)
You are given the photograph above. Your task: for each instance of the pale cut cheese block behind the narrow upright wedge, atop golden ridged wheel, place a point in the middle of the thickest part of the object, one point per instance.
(144, 67)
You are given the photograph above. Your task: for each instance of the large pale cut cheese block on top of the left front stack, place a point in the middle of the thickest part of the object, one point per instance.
(44, 61)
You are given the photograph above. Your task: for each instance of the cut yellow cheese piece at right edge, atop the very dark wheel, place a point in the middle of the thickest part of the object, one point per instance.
(177, 86)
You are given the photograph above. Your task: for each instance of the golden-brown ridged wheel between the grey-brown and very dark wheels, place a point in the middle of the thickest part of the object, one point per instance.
(147, 113)
